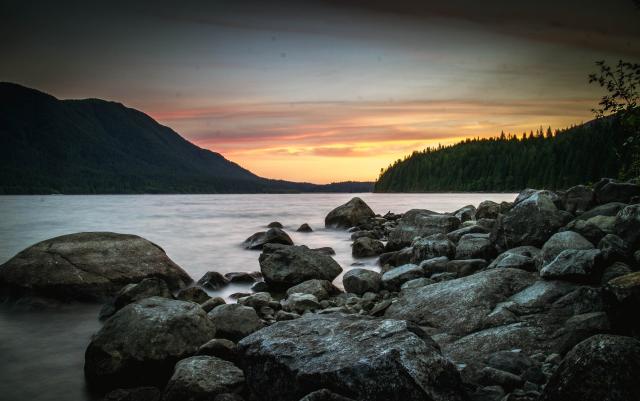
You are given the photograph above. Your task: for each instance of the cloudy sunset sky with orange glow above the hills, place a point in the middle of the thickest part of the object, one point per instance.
(324, 91)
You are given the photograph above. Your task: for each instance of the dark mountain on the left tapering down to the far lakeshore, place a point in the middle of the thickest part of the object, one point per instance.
(49, 145)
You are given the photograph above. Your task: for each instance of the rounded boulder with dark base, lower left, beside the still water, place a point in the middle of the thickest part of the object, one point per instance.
(141, 343)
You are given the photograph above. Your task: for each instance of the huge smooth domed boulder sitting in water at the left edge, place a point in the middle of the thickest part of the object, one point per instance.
(87, 267)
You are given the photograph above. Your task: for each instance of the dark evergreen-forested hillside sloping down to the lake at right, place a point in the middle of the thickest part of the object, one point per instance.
(569, 157)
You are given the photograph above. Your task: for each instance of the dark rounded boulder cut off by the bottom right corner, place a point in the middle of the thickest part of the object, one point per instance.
(601, 368)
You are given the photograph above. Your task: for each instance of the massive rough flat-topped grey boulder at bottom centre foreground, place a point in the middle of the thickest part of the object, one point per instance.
(364, 359)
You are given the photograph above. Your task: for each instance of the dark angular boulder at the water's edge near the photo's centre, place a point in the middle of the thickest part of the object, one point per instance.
(285, 266)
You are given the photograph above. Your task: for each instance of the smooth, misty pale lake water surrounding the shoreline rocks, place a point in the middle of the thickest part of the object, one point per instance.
(42, 352)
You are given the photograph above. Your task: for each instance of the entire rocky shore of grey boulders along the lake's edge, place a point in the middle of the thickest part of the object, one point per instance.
(536, 299)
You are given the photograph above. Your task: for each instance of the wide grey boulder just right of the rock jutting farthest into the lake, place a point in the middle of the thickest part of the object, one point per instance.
(421, 223)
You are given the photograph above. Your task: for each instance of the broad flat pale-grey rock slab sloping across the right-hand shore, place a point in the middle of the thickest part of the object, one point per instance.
(460, 306)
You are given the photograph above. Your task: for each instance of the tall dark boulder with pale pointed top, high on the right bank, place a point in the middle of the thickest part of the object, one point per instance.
(530, 222)
